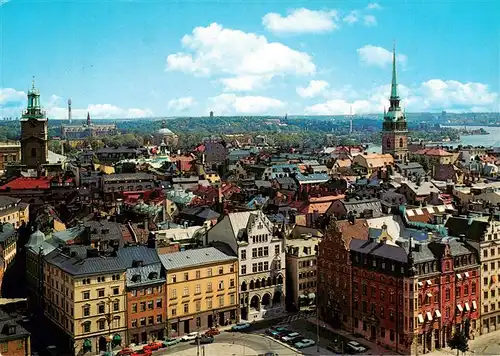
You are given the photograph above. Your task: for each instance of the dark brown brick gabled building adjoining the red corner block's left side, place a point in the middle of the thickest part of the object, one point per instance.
(334, 271)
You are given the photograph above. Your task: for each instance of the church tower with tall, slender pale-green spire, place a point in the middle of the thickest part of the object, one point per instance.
(395, 126)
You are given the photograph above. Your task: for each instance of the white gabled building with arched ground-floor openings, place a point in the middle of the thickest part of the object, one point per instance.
(261, 257)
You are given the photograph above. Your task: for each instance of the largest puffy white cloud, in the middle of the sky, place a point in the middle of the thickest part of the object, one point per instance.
(243, 60)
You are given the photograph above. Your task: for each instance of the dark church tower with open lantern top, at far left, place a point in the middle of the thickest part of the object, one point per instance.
(34, 132)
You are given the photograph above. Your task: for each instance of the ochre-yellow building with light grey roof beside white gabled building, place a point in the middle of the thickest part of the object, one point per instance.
(202, 289)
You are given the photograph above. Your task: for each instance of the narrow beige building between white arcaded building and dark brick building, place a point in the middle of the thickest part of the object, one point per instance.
(301, 267)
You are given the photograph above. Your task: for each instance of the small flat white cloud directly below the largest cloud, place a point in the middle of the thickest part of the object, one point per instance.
(226, 104)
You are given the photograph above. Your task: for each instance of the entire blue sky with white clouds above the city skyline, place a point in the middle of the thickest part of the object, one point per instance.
(125, 59)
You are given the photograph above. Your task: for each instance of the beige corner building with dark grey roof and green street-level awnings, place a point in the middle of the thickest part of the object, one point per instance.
(84, 296)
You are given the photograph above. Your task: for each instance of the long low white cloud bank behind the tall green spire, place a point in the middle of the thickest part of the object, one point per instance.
(432, 95)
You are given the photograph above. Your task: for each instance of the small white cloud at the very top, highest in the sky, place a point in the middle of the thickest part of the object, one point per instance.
(301, 21)
